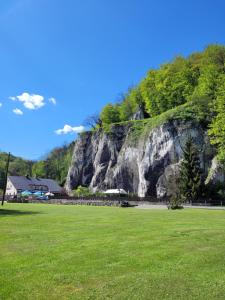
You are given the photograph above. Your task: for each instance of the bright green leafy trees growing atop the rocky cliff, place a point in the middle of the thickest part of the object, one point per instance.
(182, 80)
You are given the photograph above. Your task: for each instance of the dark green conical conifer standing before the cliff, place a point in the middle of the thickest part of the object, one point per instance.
(190, 172)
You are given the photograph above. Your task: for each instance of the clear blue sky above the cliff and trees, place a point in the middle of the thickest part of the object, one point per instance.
(62, 60)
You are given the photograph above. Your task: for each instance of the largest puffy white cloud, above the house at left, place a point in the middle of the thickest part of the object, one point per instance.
(30, 101)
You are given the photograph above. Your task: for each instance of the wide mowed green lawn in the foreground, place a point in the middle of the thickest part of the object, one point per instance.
(72, 252)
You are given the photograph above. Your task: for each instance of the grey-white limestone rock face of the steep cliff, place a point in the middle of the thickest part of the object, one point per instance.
(144, 165)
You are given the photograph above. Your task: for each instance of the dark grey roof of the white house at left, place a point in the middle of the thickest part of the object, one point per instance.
(25, 183)
